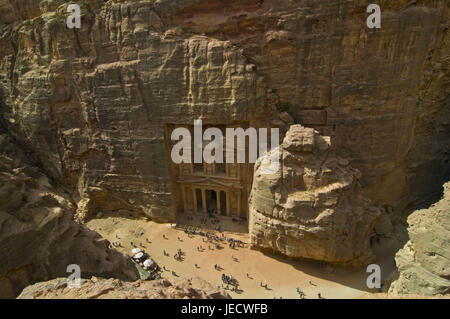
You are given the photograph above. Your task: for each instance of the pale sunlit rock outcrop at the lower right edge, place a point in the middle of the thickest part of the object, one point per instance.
(424, 262)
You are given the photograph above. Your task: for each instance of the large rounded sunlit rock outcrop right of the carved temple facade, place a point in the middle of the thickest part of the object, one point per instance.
(311, 206)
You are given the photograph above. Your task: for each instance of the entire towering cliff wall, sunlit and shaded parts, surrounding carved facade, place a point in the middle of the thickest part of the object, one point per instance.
(91, 104)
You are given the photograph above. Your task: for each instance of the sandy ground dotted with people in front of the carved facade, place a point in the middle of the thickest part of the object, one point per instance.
(282, 275)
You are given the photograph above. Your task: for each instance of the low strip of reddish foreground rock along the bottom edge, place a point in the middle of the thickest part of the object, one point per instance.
(100, 288)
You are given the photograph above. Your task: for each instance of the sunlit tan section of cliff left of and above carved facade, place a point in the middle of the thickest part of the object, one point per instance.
(96, 100)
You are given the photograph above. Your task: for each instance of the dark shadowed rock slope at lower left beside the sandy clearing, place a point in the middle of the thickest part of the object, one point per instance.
(38, 237)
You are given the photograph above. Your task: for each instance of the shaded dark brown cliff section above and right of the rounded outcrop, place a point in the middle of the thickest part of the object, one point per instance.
(382, 95)
